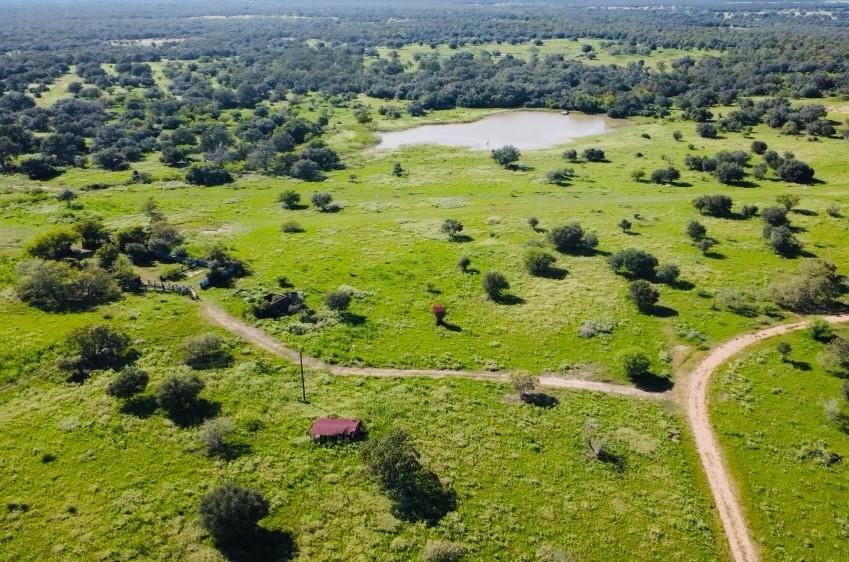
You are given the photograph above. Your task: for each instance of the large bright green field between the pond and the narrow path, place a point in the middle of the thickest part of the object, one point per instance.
(386, 243)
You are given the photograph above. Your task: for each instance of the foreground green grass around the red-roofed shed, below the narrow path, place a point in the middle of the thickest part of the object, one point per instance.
(128, 488)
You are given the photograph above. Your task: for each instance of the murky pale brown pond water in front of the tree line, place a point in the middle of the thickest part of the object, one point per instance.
(522, 129)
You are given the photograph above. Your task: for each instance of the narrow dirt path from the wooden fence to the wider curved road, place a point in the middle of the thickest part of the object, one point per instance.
(273, 346)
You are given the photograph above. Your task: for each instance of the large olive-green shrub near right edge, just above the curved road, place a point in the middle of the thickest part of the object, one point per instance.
(814, 287)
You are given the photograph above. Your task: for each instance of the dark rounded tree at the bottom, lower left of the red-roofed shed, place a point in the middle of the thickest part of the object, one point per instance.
(231, 513)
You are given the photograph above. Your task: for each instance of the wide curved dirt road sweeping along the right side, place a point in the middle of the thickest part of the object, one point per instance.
(721, 483)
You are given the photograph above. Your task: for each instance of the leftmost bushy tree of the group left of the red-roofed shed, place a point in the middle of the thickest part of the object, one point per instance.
(98, 347)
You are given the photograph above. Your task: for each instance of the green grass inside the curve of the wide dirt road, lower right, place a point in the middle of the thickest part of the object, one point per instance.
(765, 412)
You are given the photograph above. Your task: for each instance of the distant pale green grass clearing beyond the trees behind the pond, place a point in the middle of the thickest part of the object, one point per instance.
(603, 53)
